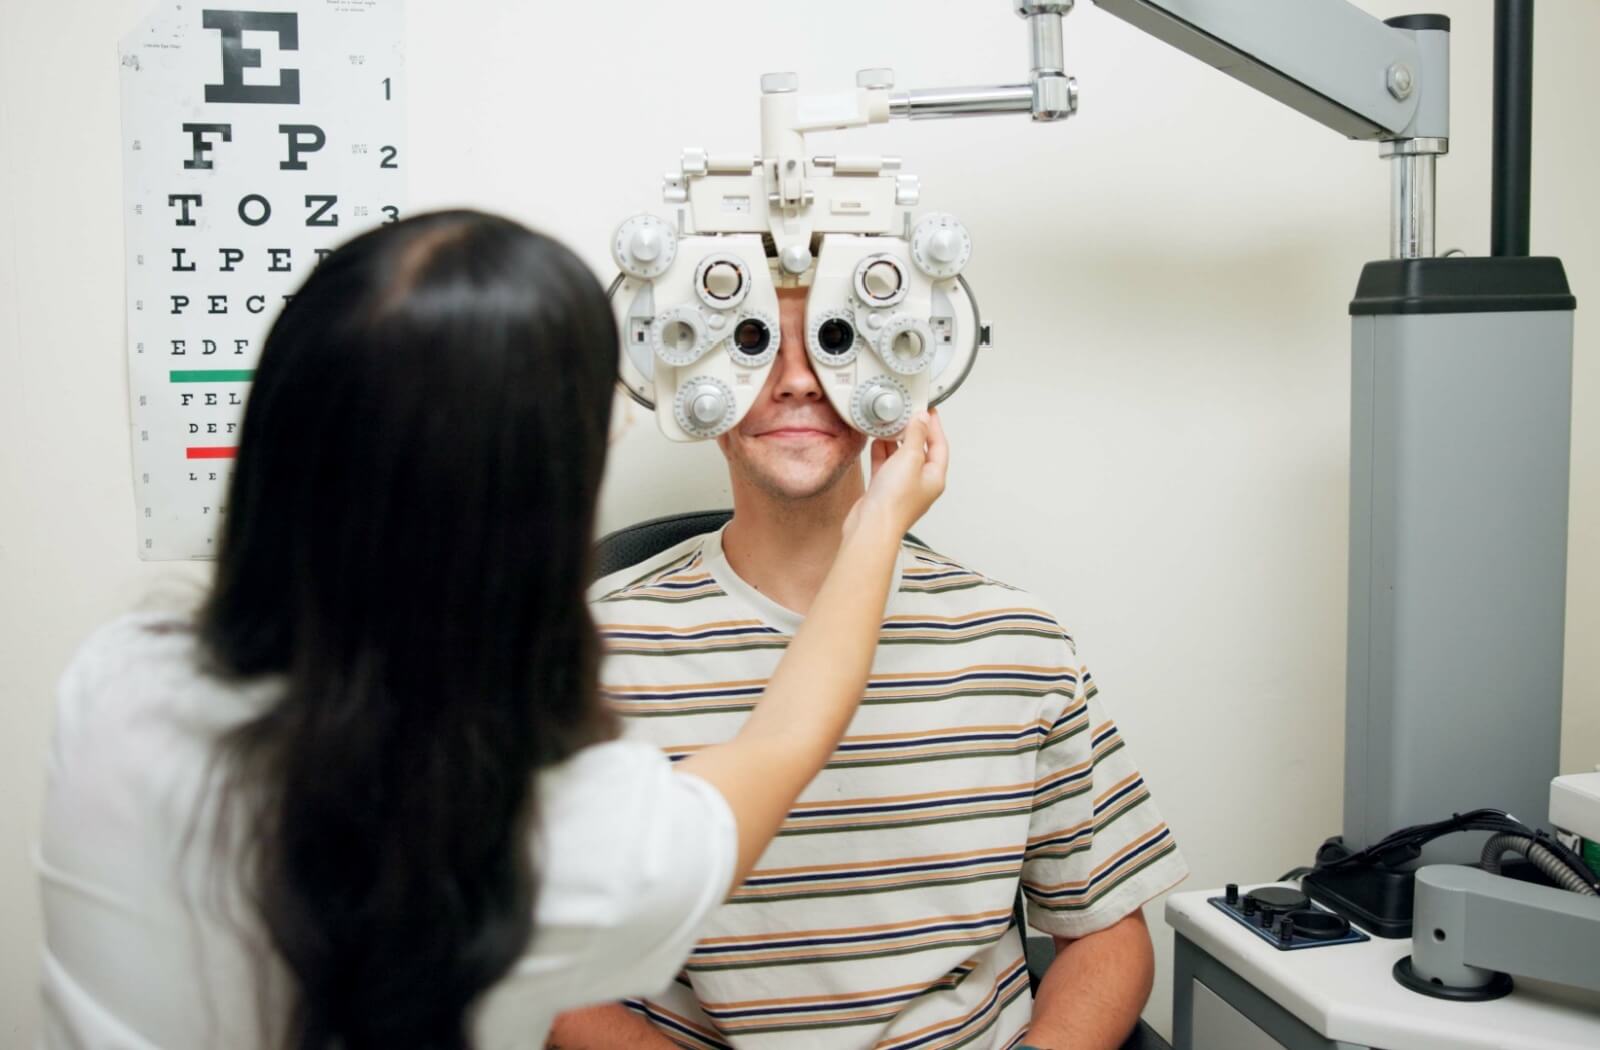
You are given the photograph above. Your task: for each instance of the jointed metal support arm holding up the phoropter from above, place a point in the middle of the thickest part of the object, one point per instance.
(1326, 58)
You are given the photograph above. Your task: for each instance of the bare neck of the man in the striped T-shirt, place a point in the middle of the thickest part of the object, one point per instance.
(785, 548)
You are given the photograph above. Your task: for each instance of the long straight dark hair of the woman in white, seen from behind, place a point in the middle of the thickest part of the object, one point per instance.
(407, 545)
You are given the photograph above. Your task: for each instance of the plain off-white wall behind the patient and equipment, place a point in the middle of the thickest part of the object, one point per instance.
(1158, 447)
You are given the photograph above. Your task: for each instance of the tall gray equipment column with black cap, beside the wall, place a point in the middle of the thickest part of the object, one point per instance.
(1460, 451)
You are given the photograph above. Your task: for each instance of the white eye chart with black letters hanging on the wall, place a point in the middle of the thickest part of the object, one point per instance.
(257, 138)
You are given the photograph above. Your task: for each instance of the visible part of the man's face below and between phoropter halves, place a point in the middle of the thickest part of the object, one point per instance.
(793, 446)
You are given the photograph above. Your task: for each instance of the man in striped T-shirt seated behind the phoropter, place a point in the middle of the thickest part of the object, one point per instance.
(882, 913)
